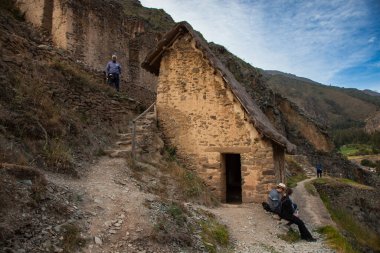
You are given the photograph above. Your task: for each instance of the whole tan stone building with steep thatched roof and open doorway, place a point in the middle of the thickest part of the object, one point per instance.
(215, 125)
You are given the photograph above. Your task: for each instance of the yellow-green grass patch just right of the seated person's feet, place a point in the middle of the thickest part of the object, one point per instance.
(335, 240)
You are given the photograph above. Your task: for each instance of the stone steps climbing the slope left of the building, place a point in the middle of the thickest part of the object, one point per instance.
(147, 140)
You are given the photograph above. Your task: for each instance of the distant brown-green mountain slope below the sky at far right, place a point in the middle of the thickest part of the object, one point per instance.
(340, 108)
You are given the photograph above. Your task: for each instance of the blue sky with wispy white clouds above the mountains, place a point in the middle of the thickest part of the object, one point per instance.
(333, 42)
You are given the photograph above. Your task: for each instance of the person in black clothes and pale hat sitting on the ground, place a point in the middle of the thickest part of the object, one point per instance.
(288, 213)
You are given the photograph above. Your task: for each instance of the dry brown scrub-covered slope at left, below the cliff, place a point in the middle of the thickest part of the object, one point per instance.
(53, 112)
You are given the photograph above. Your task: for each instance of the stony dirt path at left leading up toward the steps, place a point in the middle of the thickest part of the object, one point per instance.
(113, 203)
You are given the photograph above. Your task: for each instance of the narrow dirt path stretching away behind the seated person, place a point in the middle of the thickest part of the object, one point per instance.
(312, 209)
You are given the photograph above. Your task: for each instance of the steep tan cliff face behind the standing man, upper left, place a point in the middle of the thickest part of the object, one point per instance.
(92, 30)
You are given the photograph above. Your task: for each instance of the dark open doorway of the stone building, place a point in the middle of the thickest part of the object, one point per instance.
(233, 178)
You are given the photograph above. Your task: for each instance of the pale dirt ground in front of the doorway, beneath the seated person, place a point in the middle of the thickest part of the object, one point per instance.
(254, 230)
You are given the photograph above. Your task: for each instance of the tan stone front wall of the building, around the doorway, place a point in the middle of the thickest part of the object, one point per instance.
(201, 117)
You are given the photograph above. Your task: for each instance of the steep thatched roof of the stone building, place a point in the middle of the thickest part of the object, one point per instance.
(255, 115)
